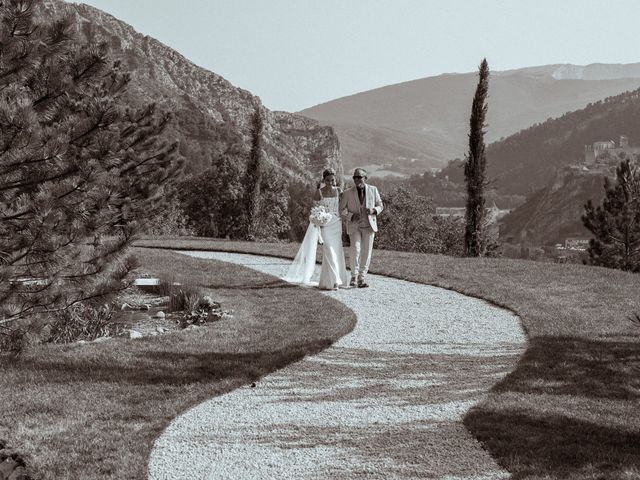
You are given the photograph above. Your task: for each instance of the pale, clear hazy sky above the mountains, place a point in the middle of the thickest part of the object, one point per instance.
(295, 54)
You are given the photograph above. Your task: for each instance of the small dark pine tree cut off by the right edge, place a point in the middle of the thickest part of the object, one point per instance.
(616, 223)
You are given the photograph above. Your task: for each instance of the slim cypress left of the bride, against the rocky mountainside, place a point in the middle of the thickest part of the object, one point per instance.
(254, 175)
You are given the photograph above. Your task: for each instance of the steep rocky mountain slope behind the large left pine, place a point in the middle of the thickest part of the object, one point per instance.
(211, 114)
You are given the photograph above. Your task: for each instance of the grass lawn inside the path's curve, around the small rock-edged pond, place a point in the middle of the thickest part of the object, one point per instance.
(93, 411)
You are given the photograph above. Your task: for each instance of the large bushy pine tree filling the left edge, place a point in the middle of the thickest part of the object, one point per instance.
(75, 164)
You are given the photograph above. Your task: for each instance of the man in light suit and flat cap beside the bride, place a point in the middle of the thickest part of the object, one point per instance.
(362, 204)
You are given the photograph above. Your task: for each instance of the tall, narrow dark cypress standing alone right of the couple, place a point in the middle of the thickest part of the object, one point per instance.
(475, 167)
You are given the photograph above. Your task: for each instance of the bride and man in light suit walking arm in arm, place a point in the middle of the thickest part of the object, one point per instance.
(359, 205)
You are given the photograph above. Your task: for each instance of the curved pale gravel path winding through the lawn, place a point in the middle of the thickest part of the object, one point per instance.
(386, 401)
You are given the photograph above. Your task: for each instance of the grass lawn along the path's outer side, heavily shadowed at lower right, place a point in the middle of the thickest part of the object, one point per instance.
(571, 408)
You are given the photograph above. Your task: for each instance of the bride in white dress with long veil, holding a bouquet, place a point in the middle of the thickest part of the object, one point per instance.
(333, 273)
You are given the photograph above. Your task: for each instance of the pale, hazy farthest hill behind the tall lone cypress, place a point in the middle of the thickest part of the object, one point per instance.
(427, 119)
